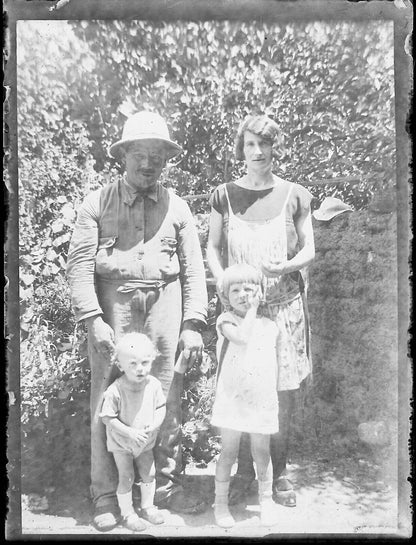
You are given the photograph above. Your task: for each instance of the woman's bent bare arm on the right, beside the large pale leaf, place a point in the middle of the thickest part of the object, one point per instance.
(304, 257)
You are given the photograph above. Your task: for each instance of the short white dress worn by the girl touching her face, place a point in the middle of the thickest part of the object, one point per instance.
(246, 393)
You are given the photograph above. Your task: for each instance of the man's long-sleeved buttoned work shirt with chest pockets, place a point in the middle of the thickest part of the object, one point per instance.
(154, 238)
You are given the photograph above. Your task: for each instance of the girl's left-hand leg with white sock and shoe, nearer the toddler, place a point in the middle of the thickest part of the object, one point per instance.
(230, 442)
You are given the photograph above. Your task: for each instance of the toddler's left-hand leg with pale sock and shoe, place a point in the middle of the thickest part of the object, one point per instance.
(125, 468)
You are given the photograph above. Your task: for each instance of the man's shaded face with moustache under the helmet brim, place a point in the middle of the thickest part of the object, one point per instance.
(144, 163)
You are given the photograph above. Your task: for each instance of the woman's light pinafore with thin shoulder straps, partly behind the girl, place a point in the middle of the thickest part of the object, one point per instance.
(252, 242)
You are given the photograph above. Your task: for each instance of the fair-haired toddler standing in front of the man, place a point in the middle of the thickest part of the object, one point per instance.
(133, 410)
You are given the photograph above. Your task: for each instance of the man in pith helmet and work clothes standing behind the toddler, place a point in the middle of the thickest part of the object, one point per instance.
(135, 264)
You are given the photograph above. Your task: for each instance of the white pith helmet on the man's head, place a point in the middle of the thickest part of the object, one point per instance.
(145, 126)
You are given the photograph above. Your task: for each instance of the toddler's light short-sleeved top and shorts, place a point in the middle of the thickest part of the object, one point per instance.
(134, 405)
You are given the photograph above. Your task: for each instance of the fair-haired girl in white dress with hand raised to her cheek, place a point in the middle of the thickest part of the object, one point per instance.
(246, 393)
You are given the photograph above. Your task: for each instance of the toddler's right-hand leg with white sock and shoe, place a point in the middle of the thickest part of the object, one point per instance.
(146, 467)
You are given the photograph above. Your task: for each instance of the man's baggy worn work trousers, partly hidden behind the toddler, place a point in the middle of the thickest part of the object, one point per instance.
(158, 314)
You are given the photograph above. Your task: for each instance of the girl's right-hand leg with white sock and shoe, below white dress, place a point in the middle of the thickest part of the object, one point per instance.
(260, 449)
